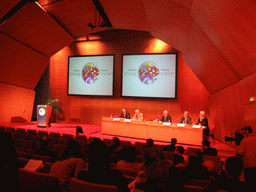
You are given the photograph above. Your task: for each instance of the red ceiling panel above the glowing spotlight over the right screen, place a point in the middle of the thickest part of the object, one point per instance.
(169, 21)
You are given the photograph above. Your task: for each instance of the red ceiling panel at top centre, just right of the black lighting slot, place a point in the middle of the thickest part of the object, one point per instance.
(125, 14)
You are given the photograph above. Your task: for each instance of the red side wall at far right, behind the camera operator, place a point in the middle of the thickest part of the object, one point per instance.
(231, 108)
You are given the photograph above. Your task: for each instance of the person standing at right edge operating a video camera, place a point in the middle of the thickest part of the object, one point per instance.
(246, 150)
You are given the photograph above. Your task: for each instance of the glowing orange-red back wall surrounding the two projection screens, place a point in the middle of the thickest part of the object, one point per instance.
(191, 94)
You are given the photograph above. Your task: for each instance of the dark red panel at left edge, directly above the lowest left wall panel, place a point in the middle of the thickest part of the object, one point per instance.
(20, 65)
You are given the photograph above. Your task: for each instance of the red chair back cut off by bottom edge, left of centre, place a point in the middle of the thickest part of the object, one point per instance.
(76, 185)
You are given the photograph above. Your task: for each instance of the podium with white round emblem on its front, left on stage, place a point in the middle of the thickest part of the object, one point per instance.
(43, 115)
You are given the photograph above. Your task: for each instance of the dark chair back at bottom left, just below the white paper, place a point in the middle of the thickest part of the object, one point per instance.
(37, 182)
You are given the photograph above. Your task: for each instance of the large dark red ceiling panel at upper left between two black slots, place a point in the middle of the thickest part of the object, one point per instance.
(32, 26)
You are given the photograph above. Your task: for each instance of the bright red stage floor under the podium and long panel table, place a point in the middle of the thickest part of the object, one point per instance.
(91, 130)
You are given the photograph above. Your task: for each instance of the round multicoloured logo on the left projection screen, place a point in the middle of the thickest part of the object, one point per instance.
(90, 73)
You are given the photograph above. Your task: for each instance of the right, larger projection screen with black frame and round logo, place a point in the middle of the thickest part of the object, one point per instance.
(149, 75)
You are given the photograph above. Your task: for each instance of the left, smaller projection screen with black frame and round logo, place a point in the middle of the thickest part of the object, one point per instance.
(91, 75)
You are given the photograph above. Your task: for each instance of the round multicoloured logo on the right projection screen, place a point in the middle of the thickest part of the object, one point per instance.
(148, 72)
